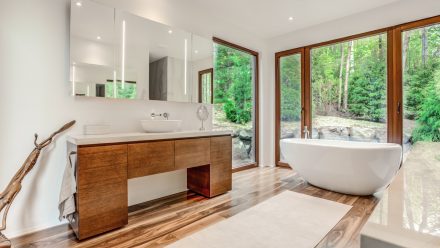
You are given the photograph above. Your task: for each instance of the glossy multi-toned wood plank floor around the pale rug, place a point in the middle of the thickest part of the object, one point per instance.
(163, 221)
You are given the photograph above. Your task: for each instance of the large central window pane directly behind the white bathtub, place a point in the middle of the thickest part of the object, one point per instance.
(349, 90)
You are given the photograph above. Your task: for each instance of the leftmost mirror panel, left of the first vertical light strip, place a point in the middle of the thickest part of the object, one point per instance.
(91, 48)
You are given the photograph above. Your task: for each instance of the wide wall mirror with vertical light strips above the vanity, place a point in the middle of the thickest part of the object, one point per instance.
(115, 54)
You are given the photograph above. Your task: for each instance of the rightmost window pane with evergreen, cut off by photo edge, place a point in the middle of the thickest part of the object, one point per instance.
(421, 89)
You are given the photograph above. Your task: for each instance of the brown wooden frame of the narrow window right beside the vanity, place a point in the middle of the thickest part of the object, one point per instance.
(256, 99)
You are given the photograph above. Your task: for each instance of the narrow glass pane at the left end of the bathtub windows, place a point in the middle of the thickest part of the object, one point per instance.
(290, 105)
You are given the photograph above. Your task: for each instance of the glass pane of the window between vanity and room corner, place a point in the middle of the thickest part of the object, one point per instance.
(234, 100)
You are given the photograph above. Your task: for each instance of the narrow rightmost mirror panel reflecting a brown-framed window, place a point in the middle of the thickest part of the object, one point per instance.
(202, 69)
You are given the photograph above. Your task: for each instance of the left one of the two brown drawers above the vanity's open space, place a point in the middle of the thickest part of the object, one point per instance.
(150, 158)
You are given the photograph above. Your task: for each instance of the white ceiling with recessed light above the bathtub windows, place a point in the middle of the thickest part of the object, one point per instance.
(269, 18)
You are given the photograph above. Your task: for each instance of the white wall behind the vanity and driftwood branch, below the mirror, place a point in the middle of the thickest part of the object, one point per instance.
(35, 97)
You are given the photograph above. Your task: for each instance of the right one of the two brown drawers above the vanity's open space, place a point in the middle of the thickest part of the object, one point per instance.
(192, 152)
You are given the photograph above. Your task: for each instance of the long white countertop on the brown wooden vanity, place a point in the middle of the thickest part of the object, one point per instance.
(82, 139)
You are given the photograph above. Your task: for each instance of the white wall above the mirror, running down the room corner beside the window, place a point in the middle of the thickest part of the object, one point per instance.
(194, 19)
